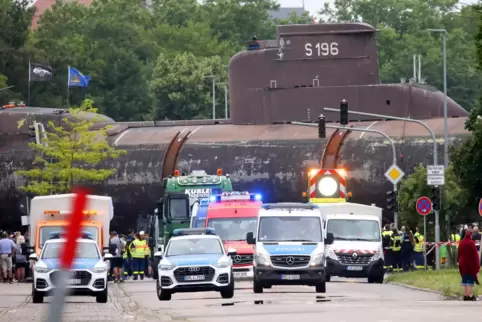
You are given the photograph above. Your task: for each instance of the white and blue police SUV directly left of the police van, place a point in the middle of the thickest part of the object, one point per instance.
(195, 261)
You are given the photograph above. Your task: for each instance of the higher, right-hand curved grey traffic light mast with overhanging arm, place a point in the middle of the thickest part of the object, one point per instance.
(435, 160)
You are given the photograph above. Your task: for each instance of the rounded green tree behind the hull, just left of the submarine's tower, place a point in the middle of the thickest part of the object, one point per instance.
(181, 88)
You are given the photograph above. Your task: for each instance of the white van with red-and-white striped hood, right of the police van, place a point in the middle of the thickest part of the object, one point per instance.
(357, 250)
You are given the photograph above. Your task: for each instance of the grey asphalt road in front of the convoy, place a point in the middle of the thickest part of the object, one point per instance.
(345, 300)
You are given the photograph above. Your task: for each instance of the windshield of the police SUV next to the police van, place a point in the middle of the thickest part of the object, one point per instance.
(194, 246)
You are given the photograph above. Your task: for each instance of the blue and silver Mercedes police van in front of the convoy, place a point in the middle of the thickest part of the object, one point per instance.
(289, 246)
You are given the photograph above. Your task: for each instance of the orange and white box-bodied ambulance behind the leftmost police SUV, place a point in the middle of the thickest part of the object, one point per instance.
(49, 214)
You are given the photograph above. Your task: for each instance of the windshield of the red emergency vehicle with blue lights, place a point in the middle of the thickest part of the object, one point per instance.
(233, 228)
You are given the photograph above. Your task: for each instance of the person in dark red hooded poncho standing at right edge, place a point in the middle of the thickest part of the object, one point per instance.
(468, 265)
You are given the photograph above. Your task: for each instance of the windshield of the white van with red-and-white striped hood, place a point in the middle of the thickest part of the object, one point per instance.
(356, 230)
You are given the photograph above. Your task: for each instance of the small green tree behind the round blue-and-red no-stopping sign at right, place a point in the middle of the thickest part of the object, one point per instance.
(415, 186)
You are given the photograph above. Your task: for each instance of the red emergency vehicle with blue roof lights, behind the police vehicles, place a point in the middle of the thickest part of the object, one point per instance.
(233, 215)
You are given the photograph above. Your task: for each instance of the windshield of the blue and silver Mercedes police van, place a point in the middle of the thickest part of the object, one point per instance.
(306, 229)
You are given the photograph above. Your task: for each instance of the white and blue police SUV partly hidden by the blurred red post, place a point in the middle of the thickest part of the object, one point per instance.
(88, 275)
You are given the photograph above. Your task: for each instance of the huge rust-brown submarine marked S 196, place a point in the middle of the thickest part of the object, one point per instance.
(311, 67)
